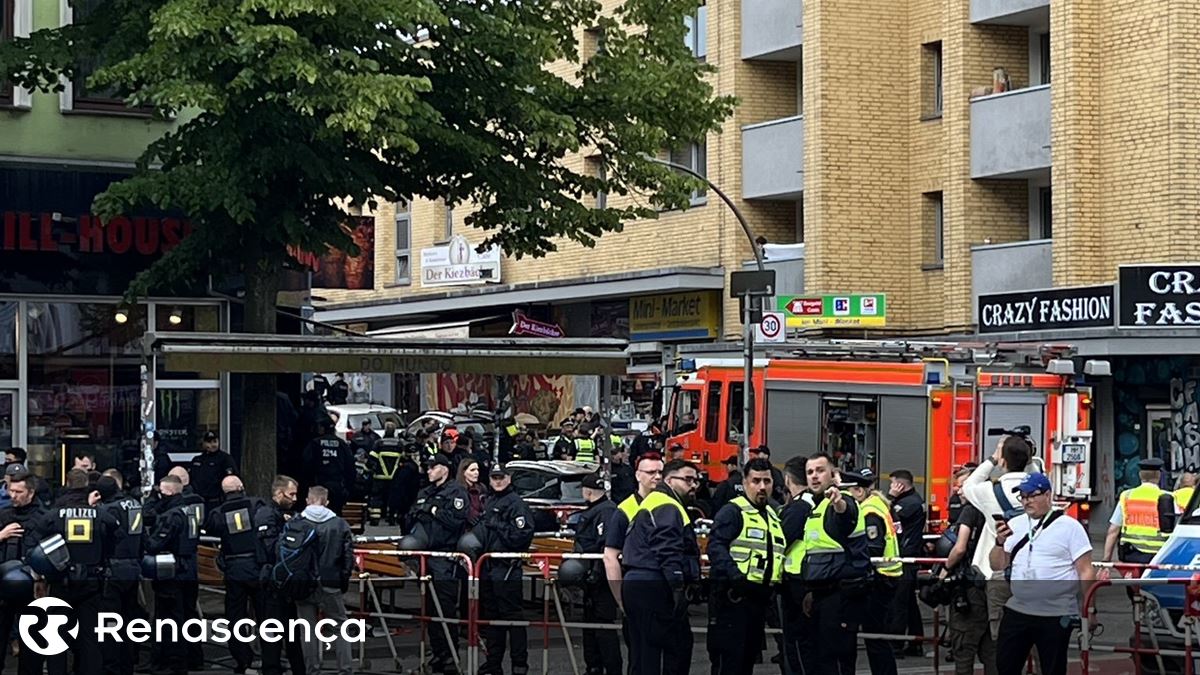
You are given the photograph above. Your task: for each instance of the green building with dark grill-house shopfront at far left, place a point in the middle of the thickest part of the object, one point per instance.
(70, 351)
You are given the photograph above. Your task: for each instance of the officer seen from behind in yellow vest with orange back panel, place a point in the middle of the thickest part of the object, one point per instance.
(1137, 524)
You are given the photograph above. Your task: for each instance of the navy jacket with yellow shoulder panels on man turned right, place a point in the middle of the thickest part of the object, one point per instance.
(662, 542)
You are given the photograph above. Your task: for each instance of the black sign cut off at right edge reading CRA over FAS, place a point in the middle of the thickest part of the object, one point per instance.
(1160, 296)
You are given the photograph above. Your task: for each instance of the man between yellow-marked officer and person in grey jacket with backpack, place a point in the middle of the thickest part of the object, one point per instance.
(269, 524)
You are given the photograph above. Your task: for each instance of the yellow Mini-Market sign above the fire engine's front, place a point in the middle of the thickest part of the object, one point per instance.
(675, 316)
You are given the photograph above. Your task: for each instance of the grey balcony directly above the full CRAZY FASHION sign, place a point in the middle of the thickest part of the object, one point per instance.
(1006, 268)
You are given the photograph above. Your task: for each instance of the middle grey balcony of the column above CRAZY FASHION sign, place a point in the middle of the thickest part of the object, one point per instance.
(1011, 134)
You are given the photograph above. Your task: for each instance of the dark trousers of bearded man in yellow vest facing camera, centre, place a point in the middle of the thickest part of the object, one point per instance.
(736, 626)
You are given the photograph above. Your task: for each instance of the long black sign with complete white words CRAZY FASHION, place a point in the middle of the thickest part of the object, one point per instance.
(1052, 309)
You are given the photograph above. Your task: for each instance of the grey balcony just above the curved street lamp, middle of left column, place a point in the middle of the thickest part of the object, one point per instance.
(773, 160)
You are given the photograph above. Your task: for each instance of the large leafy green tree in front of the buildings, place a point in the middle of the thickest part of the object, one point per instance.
(289, 106)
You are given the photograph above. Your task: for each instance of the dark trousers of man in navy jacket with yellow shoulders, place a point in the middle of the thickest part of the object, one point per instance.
(659, 636)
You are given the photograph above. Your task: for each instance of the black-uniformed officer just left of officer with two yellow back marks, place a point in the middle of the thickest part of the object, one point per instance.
(172, 535)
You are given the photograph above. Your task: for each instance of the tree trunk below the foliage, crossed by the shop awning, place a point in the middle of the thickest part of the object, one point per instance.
(259, 438)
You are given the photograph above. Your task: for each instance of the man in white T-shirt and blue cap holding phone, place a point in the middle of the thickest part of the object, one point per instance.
(1049, 559)
